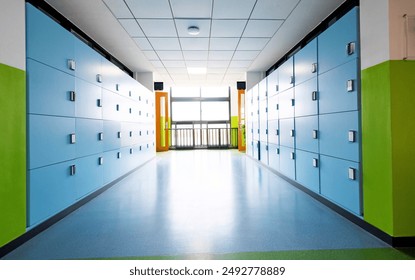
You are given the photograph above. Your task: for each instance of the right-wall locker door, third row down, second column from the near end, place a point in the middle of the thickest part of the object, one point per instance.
(306, 130)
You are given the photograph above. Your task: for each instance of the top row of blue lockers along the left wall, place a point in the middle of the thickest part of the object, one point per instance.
(52, 45)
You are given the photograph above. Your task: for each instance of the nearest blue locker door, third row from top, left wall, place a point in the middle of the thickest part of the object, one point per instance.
(51, 140)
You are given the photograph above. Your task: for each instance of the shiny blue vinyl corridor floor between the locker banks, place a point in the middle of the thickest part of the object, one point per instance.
(196, 202)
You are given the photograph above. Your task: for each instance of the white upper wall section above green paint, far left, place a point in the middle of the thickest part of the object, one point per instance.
(13, 33)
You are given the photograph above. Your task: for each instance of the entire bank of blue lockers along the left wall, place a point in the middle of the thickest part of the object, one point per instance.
(88, 122)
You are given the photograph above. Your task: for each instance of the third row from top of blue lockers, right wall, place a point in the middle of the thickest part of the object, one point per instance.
(335, 135)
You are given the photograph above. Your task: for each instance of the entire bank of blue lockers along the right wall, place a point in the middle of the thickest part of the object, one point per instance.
(313, 115)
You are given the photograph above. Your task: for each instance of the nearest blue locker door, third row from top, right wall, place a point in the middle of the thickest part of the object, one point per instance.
(340, 135)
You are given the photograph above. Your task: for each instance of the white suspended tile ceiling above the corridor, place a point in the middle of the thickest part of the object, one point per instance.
(236, 36)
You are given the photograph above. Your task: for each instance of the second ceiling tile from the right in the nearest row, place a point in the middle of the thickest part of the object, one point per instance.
(232, 9)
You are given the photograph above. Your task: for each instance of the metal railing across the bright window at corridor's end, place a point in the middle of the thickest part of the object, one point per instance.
(204, 138)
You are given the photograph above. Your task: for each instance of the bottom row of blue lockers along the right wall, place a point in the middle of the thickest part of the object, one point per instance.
(334, 178)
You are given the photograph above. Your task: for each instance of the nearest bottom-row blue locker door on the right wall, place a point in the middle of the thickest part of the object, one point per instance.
(340, 182)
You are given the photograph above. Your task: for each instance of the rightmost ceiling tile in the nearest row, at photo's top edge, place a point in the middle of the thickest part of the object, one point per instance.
(271, 9)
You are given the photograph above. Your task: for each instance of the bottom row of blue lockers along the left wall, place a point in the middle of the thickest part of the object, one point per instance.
(56, 187)
